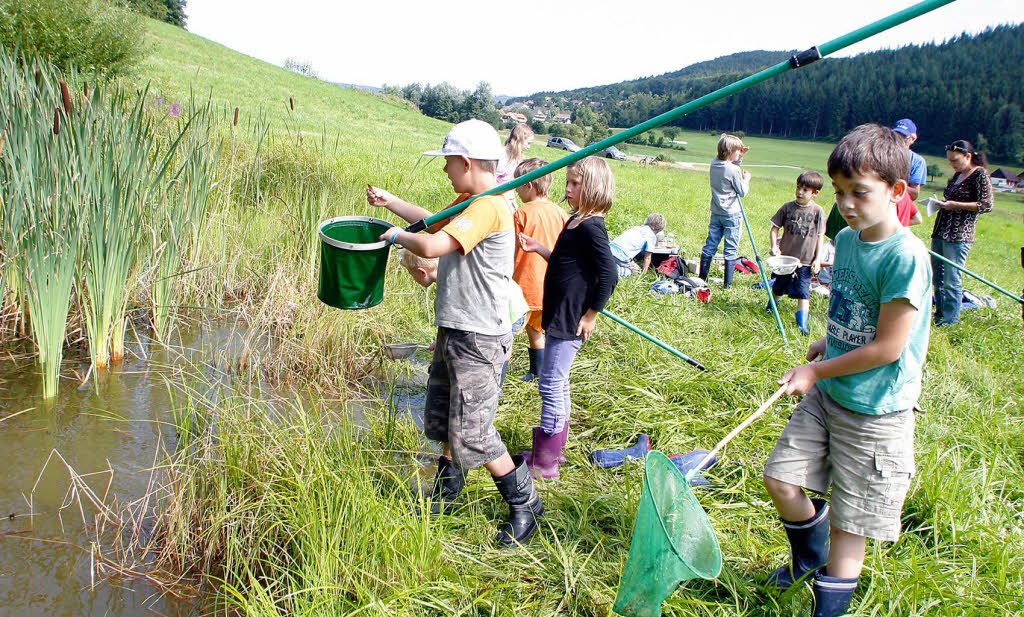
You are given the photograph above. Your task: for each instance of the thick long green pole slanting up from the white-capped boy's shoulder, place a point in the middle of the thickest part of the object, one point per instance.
(801, 60)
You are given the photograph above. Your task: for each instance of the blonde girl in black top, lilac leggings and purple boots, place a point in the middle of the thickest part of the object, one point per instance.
(581, 277)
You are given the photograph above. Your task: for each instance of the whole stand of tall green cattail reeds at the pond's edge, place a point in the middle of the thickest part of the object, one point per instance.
(81, 181)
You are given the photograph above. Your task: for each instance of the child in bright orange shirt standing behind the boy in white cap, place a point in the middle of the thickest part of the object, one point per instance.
(542, 221)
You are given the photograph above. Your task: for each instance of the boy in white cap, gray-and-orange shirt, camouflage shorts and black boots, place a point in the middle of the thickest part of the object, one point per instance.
(475, 334)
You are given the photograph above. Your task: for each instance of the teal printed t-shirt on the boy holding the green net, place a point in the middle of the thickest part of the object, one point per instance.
(866, 277)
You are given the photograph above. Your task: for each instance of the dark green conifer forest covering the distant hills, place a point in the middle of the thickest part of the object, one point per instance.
(969, 87)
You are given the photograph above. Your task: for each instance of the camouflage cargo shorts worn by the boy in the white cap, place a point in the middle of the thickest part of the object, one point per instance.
(462, 395)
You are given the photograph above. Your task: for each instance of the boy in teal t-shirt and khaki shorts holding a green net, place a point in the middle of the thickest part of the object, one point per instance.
(855, 428)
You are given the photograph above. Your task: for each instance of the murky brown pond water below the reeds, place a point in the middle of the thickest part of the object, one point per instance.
(110, 432)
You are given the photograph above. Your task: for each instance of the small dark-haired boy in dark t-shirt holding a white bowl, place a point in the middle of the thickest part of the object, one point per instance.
(803, 226)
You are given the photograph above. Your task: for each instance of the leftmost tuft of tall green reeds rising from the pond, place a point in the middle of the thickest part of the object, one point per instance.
(41, 191)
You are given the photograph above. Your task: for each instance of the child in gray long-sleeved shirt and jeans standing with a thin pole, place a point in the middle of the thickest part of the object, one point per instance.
(729, 185)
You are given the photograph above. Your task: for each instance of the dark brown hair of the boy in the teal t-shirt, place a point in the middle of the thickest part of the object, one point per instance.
(872, 148)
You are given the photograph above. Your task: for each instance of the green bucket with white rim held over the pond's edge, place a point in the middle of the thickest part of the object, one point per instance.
(353, 262)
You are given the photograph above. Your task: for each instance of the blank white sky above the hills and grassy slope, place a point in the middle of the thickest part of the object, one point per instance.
(522, 48)
